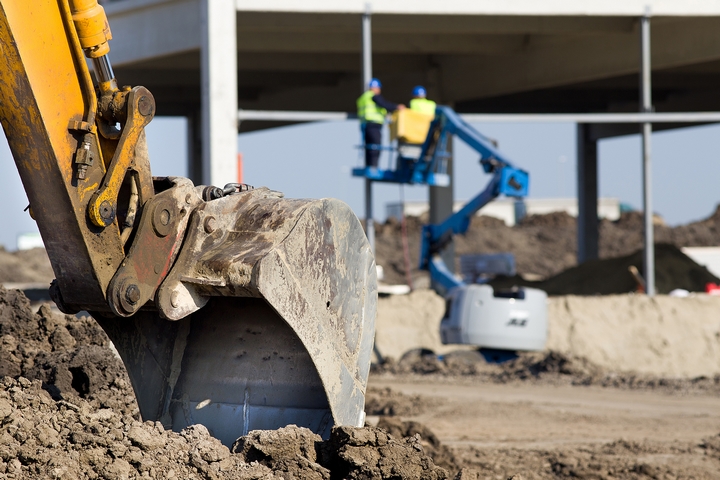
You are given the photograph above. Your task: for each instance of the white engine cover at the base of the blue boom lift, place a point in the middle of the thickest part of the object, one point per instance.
(475, 316)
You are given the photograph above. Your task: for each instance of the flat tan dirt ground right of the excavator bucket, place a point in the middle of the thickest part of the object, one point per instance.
(547, 431)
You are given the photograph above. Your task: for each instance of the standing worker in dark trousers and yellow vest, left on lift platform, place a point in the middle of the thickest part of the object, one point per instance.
(372, 108)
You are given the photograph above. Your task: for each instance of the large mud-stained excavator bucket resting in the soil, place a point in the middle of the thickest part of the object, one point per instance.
(266, 319)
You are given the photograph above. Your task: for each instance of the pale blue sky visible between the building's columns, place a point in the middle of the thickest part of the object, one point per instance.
(314, 161)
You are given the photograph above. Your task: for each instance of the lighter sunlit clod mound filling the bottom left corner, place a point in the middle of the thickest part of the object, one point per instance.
(44, 438)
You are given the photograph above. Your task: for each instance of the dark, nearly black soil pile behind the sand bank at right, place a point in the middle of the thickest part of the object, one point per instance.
(673, 269)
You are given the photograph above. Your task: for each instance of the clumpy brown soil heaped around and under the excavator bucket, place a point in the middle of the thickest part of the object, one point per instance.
(67, 411)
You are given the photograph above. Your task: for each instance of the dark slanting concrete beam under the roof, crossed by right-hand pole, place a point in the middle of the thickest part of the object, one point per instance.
(554, 61)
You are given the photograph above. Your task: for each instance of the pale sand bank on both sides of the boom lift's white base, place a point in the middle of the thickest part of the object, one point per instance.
(661, 336)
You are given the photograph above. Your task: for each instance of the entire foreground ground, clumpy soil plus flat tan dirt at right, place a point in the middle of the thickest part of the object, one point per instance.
(542, 415)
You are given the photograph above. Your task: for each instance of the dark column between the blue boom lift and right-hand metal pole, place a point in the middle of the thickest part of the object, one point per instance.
(587, 185)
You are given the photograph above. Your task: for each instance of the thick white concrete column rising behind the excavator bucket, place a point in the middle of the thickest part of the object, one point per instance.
(218, 59)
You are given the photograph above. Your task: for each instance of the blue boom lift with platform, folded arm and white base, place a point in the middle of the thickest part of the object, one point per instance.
(475, 314)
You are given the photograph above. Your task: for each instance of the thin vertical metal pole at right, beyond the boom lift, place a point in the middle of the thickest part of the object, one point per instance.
(646, 107)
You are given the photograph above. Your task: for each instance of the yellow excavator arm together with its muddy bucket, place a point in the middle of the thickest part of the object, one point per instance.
(232, 307)
